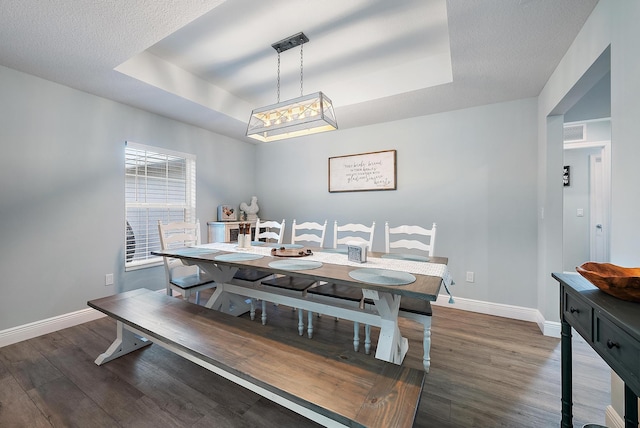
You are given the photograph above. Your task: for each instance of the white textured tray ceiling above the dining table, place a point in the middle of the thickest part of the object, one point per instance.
(209, 63)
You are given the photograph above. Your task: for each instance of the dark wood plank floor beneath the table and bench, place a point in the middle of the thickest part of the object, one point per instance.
(486, 372)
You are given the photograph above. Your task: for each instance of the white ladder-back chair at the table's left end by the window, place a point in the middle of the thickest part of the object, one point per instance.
(181, 278)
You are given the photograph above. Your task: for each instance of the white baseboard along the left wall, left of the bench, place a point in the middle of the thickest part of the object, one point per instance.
(49, 325)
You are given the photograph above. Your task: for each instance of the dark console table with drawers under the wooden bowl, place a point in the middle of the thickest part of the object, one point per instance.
(611, 326)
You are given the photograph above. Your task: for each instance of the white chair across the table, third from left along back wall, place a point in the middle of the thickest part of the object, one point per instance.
(343, 235)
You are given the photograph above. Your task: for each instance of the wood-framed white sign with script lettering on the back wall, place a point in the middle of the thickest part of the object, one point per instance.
(366, 171)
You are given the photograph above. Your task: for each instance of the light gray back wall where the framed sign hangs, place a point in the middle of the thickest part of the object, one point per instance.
(471, 171)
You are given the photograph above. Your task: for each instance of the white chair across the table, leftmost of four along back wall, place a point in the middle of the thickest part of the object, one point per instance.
(271, 232)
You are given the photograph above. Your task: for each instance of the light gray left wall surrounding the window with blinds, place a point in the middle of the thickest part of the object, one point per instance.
(62, 175)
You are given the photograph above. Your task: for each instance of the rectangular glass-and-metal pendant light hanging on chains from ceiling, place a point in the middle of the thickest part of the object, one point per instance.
(304, 115)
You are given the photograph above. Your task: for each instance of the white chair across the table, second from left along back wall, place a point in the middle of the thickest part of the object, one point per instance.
(306, 232)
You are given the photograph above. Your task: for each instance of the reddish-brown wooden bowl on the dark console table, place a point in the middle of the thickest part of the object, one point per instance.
(621, 282)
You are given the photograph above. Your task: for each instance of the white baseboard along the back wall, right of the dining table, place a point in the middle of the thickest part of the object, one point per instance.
(548, 328)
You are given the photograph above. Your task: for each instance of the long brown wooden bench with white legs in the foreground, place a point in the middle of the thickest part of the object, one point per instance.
(329, 385)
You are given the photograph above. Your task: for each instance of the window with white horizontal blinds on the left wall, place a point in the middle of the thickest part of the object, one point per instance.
(159, 185)
